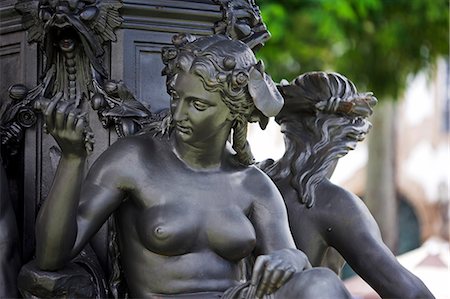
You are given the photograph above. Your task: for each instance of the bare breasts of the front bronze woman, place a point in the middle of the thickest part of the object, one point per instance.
(183, 227)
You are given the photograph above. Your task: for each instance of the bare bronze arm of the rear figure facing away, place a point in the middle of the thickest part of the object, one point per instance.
(356, 236)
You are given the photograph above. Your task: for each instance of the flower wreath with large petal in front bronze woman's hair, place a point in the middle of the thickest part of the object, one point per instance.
(263, 91)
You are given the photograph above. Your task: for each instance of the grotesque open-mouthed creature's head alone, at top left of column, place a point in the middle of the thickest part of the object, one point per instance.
(52, 22)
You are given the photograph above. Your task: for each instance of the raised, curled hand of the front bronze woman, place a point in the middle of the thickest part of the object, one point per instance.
(67, 125)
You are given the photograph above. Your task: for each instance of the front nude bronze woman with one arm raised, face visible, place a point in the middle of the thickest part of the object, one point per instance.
(189, 207)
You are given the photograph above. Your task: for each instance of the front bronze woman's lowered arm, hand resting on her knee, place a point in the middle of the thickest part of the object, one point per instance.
(277, 258)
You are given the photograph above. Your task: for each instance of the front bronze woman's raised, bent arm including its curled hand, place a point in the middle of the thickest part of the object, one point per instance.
(74, 210)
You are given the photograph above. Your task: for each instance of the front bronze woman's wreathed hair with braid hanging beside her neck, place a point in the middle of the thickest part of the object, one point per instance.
(228, 68)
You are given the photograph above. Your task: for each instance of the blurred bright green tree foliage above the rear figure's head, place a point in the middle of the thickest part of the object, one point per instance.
(375, 43)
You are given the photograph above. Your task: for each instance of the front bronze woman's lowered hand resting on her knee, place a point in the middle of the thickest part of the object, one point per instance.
(273, 270)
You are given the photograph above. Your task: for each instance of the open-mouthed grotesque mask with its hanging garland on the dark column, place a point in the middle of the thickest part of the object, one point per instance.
(71, 35)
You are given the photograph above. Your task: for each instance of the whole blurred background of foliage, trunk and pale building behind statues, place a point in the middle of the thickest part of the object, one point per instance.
(398, 49)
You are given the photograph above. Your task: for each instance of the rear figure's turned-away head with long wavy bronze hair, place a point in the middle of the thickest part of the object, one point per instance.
(323, 118)
